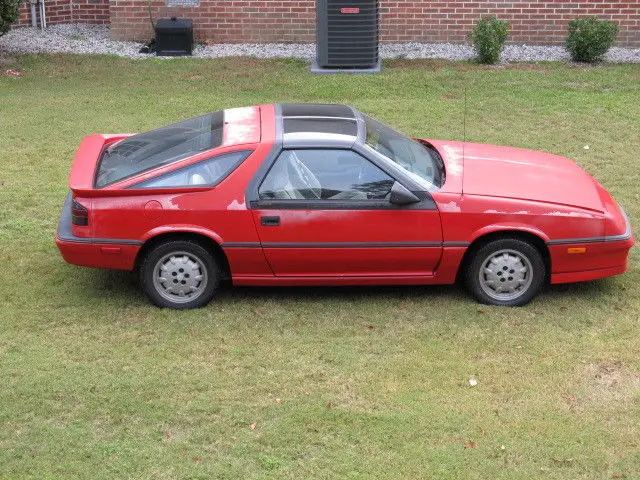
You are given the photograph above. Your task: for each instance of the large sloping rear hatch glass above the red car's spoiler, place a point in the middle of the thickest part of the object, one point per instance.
(159, 147)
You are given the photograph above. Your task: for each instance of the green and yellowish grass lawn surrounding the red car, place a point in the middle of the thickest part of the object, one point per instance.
(355, 382)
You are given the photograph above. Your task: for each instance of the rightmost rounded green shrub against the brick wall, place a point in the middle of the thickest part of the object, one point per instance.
(590, 38)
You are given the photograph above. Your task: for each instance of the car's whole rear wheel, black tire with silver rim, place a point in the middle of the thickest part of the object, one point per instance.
(189, 268)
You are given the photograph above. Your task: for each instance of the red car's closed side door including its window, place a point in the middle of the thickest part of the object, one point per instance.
(327, 212)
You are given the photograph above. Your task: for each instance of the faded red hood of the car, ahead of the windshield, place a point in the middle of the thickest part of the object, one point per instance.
(521, 174)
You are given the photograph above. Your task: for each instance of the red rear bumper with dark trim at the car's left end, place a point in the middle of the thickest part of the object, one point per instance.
(119, 254)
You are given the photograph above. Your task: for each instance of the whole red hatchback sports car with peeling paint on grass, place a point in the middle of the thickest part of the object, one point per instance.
(306, 194)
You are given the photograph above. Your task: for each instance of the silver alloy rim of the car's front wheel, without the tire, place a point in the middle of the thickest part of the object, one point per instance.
(505, 275)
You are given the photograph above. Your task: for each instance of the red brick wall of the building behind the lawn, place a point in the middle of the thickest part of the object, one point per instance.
(288, 21)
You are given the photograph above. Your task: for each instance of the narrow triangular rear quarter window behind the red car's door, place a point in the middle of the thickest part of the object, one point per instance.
(206, 173)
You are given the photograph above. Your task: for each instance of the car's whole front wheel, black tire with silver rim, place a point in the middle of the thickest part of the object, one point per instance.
(506, 272)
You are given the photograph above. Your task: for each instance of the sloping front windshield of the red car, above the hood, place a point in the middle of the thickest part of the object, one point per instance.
(420, 160)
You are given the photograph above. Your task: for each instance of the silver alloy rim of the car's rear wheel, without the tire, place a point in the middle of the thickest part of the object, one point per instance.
(180, 277)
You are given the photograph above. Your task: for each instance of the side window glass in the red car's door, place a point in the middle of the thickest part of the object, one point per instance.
(324, 174)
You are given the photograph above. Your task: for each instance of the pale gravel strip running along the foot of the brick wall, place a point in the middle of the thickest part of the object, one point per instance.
(94, 39)
